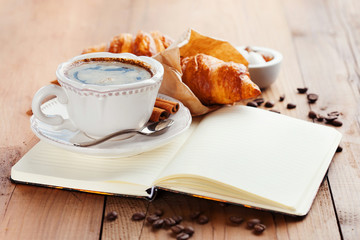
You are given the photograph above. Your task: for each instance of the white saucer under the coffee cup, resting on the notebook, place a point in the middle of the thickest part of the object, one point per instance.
(121, 148)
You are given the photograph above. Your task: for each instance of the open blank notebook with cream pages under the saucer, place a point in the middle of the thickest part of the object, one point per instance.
(237, 154)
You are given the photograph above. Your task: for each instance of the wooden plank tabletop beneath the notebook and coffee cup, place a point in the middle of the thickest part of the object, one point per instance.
(320, 41)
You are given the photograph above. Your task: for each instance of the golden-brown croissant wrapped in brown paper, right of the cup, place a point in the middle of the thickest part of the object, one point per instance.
(214, 81)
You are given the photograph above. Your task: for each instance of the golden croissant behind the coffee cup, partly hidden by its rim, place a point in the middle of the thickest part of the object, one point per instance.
(143, 44)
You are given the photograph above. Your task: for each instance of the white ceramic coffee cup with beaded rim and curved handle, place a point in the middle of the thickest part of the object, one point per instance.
(98, 110)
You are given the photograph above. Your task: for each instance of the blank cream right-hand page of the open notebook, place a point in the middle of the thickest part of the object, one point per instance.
(265, 153)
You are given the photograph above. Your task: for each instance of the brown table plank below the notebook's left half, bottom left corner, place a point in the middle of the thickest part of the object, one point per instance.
(41, 213)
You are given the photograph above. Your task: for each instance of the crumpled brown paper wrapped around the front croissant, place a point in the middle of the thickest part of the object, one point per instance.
(190, 44)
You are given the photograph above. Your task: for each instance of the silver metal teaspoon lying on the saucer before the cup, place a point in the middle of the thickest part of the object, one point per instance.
(146, 130)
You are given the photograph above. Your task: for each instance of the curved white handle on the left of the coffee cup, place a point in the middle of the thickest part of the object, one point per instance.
(57, 121)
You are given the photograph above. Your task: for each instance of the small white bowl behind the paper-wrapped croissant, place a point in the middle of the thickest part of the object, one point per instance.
(264, 74)
